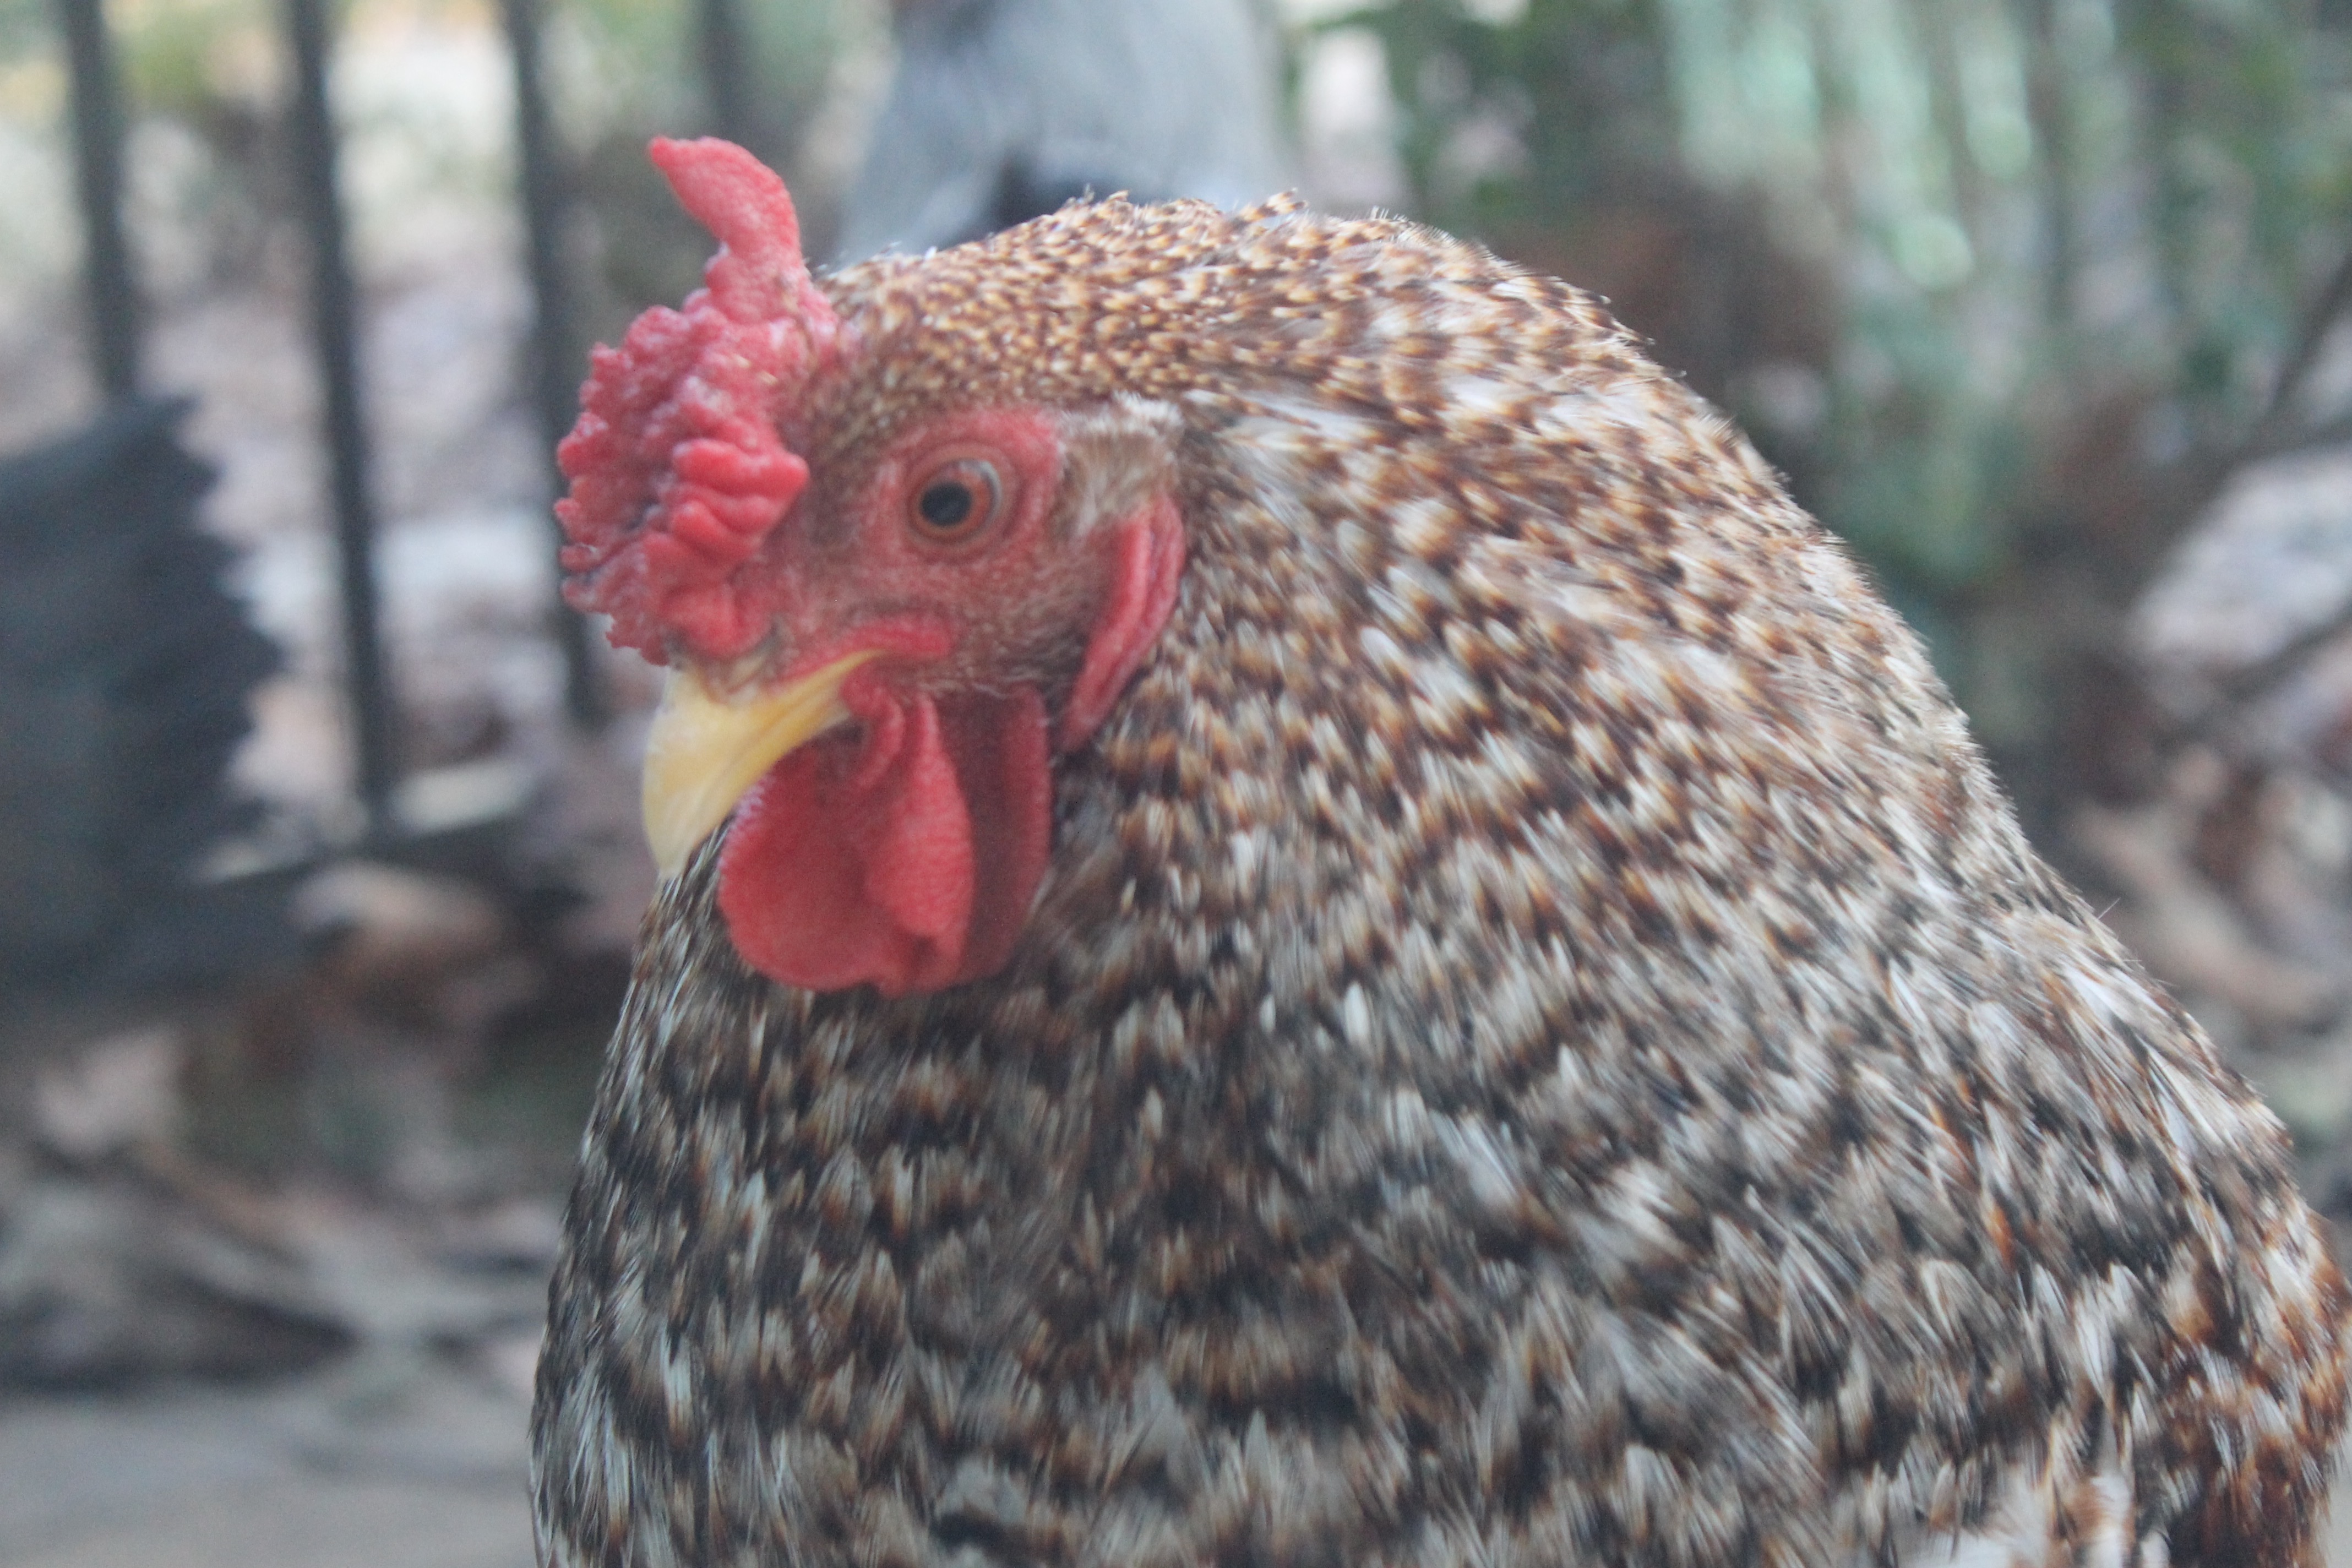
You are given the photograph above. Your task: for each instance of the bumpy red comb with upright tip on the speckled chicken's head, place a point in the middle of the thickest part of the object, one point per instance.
(679, 469)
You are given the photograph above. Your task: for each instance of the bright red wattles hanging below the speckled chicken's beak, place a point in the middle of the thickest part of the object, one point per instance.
(904, 857)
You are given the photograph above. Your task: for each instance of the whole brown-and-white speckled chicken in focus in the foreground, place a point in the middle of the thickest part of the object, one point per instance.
(1307, 923)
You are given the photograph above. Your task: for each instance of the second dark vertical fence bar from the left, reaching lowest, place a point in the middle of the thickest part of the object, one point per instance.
(335, 323)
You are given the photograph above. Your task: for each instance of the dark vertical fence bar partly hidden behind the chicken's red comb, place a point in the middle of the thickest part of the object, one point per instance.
(554, 347)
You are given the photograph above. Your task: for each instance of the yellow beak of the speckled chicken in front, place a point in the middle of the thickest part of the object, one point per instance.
(707, 751)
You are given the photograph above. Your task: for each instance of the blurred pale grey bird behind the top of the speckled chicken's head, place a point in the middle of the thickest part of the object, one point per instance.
(1008, 109)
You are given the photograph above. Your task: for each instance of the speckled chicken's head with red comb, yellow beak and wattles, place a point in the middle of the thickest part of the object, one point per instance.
(881, 629)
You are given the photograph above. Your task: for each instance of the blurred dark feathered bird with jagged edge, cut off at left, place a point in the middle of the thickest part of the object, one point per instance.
(126, 676)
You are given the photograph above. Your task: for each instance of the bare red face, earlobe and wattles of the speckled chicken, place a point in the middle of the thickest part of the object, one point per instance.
(907, 850)
